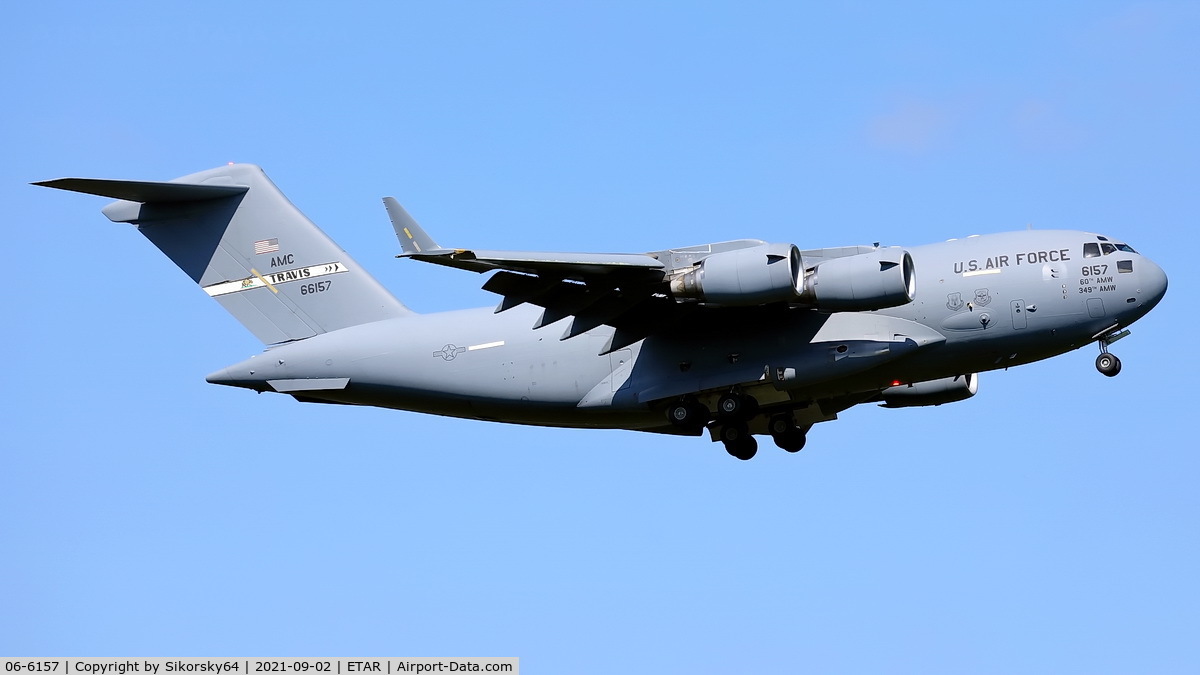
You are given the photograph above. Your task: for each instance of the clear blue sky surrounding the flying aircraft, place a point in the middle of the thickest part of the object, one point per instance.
(1047, 525)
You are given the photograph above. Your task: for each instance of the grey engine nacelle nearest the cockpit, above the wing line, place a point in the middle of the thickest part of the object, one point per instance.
(881, 279)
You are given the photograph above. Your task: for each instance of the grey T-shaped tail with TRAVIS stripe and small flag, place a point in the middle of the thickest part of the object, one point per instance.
(245, 244)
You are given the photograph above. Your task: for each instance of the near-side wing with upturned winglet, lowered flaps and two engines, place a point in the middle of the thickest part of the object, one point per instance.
(643, 294)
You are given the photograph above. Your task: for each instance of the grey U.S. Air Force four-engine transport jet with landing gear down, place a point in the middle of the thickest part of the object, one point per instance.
(740, 338)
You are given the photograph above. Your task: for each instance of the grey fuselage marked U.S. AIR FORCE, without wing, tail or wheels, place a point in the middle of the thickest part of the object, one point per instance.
(981, 303)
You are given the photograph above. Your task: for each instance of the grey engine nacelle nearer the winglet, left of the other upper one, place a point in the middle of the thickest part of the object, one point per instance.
(769, 273)
